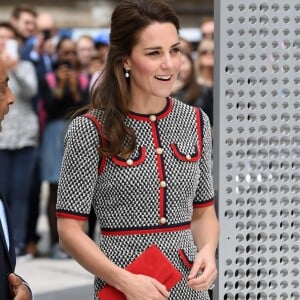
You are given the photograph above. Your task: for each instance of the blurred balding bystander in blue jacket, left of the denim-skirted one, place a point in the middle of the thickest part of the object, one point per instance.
(41, 53)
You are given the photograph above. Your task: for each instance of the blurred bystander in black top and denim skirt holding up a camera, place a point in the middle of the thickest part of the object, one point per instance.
(63, 94)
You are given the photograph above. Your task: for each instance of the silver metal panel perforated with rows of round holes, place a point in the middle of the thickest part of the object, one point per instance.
(257, 148)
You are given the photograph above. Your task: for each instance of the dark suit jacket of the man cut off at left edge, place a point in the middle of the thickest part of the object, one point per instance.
(7, 258)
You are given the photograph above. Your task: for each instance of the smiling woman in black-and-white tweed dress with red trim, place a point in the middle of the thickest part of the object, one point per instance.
(130, 157)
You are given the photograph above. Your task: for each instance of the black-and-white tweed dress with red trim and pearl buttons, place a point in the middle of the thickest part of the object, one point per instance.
(148, 198)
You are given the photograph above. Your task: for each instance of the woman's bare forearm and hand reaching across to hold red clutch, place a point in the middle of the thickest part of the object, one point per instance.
(84, 250)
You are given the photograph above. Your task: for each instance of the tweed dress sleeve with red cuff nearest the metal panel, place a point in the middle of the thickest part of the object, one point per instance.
(205, 191)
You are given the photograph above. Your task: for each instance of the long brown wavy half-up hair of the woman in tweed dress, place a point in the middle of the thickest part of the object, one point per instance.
(112, 94)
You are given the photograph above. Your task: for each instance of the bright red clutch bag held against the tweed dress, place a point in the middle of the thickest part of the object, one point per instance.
(152, 262)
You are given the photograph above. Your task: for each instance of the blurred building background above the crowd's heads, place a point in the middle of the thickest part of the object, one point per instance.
(96, 13)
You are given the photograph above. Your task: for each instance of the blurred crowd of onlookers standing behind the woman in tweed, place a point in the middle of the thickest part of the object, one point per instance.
(51, 77)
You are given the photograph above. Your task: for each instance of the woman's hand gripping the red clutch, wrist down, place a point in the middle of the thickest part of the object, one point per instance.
(145, 288)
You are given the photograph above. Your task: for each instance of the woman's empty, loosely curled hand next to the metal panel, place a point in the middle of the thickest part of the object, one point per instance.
(204, 270)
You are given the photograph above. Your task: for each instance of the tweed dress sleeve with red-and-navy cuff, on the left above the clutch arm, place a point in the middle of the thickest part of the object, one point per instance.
(79, 170)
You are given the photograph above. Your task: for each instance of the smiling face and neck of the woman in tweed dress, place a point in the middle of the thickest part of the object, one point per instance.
(153, 67)
